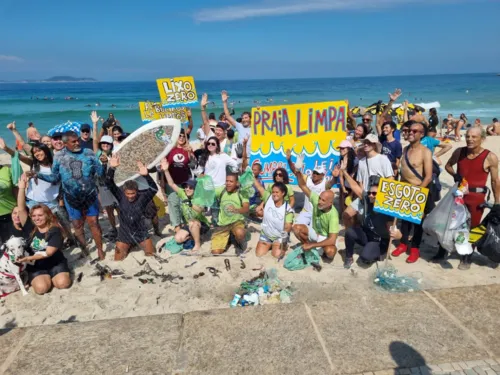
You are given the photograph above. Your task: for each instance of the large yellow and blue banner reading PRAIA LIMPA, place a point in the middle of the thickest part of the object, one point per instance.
(315, 129)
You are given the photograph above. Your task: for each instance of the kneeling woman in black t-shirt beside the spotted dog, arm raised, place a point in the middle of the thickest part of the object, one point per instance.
(46, 265)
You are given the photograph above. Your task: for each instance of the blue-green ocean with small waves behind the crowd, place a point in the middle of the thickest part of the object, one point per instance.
(476, 95)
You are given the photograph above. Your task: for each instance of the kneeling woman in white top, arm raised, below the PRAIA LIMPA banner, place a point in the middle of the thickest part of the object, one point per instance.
(277, 220)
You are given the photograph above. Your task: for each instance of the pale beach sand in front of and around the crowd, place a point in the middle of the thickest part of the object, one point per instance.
(93, 299)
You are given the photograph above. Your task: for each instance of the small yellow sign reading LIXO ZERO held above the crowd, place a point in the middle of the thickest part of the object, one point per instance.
(177, 92)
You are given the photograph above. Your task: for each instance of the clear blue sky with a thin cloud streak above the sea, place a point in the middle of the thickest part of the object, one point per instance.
(244, 39)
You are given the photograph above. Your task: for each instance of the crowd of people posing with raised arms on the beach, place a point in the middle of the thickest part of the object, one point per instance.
(70, 183)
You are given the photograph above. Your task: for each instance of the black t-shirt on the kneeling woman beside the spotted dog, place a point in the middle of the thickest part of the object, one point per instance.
(41, 241)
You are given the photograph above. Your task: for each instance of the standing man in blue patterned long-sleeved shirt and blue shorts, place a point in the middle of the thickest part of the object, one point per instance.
(76, 169)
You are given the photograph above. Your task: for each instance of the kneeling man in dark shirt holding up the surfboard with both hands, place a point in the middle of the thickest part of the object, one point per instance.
(132, 206)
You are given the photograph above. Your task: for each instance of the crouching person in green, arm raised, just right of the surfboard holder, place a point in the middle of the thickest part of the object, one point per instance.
(195, 222)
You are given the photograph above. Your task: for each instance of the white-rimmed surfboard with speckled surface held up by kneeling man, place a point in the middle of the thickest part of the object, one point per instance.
(149, 144)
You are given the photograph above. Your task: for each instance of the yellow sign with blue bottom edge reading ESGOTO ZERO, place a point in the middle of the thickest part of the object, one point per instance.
(401, 200)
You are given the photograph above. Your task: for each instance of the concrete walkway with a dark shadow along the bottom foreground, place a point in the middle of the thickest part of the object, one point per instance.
(347, 335)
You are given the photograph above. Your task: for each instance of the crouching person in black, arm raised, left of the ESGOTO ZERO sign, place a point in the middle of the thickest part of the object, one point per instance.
(374, 232)
